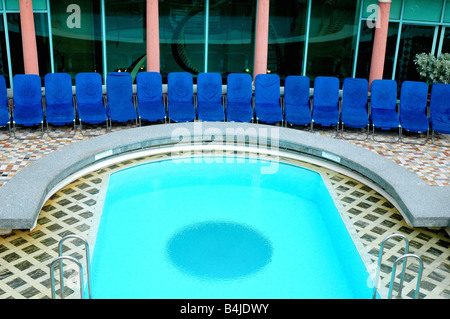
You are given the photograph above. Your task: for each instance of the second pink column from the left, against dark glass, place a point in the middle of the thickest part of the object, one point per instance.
(152, 36)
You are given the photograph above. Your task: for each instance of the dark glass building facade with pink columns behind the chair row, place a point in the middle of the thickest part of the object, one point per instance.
(287, 37)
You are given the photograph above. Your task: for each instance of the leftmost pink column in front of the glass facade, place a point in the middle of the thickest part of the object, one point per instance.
(30, 57)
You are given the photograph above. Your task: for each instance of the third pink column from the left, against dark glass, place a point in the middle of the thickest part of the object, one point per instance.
(261, 38)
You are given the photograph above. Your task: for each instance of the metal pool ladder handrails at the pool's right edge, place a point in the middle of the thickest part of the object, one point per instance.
(403, 258)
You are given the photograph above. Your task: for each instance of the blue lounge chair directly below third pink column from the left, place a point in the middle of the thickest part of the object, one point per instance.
(267, 99)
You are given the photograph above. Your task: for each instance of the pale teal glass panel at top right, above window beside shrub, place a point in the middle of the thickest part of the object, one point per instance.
(420, 10)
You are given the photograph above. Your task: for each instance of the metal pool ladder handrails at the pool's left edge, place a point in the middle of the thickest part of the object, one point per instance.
(60, 260)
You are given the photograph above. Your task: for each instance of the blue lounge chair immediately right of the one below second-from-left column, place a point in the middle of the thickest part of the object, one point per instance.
(180, 93)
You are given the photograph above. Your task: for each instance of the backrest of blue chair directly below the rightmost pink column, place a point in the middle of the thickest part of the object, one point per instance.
(383, 94)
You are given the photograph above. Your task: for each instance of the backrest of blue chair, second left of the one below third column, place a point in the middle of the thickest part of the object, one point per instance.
(209, 88)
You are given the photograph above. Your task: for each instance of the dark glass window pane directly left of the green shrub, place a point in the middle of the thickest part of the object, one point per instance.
(414, 39)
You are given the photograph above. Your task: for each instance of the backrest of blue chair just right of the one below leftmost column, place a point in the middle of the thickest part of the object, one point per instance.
(58, 89)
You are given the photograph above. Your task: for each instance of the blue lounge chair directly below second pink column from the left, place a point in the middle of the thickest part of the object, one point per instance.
(149, 97)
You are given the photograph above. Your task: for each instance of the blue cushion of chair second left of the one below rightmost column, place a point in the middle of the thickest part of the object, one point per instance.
(326, 101)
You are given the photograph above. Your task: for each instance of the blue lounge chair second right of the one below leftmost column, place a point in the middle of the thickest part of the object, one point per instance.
(89, 97)
